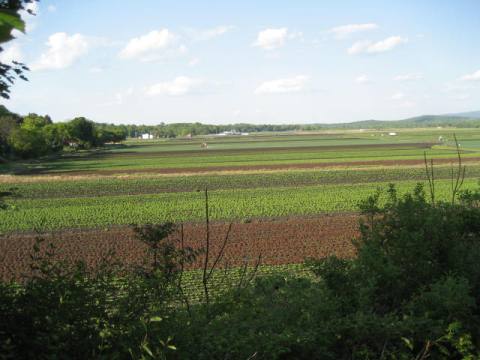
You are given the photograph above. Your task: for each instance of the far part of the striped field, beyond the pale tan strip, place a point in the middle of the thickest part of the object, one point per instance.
(256, 152)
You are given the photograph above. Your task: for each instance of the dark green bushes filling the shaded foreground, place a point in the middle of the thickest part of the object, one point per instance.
(413, 291)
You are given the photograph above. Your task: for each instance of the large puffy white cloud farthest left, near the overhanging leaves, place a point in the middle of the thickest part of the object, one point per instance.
(63, 51)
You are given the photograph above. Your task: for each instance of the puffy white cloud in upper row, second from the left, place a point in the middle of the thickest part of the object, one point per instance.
(154, 45)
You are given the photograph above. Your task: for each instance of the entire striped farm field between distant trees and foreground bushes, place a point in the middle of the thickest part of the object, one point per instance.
(289, 196)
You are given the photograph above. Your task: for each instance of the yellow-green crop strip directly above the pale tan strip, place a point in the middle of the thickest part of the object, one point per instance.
(119, 163)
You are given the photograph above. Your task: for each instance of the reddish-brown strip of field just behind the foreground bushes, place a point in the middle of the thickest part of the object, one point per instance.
(282, 241)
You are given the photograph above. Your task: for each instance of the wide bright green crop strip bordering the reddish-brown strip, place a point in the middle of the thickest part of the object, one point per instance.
(88, 212)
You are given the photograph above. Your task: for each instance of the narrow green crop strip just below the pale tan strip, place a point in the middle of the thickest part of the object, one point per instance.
(152, 185)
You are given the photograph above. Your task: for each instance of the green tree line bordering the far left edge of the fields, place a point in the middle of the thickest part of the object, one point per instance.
(36, 135)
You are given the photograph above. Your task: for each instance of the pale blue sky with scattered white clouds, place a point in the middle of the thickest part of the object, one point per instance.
(277, 61)
